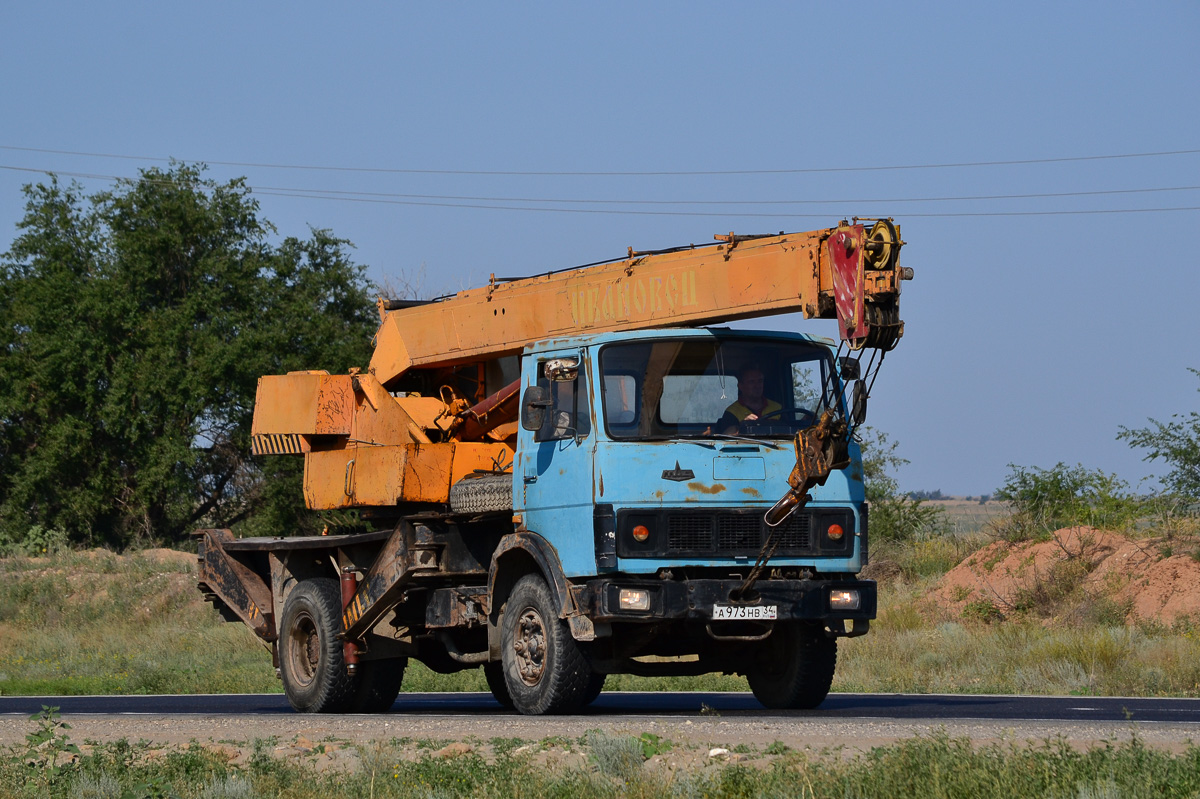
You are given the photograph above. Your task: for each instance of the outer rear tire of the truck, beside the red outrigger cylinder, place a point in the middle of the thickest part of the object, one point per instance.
(311, 663)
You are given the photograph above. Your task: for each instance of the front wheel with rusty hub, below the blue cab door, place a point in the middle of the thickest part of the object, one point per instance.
(544, 668)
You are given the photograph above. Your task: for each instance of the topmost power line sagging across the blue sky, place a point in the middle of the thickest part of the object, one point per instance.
(621, 175)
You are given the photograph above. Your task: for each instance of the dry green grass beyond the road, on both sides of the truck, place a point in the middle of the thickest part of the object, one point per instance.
(95, 623)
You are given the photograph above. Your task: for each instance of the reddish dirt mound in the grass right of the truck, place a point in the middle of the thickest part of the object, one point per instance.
(1141, 575)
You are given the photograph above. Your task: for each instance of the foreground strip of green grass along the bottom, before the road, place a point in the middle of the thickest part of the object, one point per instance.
(615, 766)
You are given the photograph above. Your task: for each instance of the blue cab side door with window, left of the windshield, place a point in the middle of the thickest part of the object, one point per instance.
(555, 462)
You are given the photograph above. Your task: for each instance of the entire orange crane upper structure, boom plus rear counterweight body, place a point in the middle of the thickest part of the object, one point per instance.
(365, 447)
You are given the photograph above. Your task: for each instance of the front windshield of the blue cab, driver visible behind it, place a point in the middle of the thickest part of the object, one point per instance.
(681, 388)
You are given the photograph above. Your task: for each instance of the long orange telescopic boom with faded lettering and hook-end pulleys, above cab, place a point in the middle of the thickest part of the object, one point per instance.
(850, 273)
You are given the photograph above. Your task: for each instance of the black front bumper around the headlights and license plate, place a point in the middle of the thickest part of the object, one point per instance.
(693, 600)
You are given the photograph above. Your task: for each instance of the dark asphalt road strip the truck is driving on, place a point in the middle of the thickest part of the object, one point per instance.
(919, 708)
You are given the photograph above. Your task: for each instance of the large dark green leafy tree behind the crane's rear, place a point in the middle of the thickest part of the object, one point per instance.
(134, 327)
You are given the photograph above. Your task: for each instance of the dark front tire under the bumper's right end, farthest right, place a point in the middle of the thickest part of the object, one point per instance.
(796, 669)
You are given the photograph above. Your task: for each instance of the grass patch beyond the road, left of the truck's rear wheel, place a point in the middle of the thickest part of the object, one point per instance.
(94, 623)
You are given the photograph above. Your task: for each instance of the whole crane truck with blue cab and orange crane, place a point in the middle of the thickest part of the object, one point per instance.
(579, 474)
